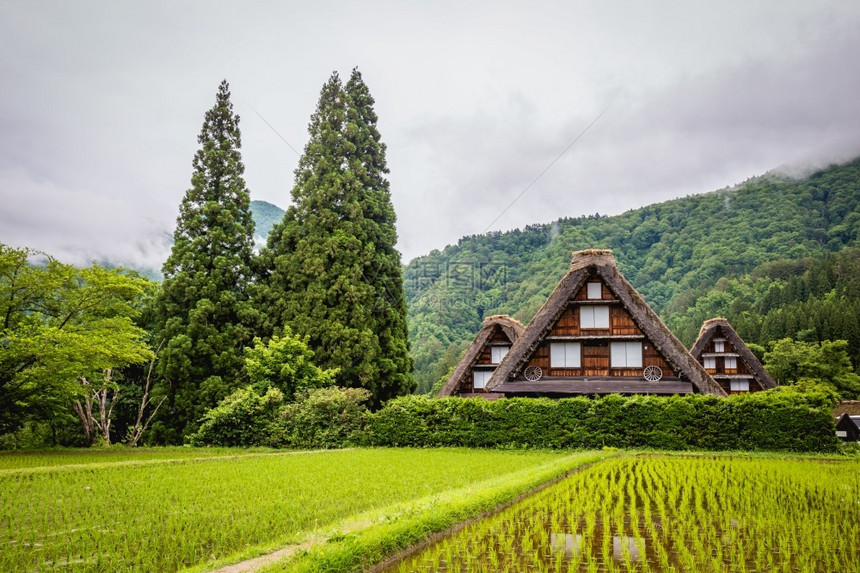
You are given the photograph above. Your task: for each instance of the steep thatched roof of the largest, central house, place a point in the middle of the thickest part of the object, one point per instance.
(601, 263)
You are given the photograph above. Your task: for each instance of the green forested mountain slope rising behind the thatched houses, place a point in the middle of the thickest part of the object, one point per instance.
(756, 253)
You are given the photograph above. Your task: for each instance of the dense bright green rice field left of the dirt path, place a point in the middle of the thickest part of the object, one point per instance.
(166, 510)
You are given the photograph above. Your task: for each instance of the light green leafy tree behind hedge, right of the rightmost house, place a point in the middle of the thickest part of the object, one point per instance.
(791, 361)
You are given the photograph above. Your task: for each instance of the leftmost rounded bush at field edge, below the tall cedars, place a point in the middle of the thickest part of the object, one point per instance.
(241, 419)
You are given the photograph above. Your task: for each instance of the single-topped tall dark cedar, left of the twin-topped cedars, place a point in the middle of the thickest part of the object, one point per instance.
(204, 310)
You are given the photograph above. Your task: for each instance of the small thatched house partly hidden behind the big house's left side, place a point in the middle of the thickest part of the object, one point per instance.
(473, 372)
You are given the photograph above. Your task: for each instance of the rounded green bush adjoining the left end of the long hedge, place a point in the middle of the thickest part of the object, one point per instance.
(323, 418)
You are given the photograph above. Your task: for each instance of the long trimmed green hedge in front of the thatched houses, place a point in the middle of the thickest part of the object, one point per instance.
(774, 420)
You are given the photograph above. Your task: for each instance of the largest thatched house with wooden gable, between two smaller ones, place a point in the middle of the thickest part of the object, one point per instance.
(597, 335)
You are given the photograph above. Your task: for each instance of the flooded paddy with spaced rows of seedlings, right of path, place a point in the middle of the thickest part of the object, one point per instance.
(669, 513)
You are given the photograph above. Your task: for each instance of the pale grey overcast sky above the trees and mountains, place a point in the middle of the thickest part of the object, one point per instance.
(101, 104)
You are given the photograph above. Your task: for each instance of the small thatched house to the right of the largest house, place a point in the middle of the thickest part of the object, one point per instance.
(728, 359)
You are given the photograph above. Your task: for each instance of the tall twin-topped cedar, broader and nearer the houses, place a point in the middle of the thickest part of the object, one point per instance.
(331, 269)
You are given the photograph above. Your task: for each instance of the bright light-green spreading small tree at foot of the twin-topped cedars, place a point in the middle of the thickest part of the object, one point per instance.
(285, 363)
